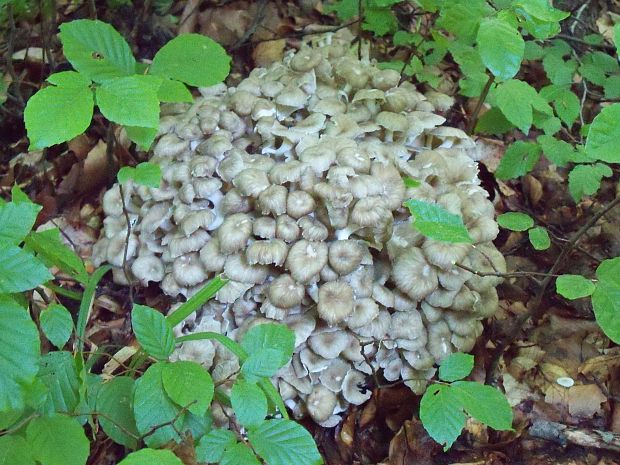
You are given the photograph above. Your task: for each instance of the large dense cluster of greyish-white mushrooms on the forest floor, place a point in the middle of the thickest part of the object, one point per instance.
(291, 185)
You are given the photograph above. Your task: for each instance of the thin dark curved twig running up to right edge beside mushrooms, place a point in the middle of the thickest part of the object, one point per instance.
(515, 329)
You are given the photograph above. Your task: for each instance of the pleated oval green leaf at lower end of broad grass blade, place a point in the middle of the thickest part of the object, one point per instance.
(153, 332)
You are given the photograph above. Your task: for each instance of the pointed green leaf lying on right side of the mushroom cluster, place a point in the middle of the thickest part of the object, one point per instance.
(437, 223)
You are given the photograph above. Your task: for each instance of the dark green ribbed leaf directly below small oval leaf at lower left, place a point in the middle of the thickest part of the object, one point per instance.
(58, 372)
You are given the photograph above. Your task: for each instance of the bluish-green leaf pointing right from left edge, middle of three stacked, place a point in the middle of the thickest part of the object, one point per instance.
(20, 271)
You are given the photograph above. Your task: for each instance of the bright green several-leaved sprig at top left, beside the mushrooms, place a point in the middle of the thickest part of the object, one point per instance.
(126, 92)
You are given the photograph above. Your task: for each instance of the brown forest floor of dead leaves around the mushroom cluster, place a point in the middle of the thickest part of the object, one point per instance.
(524, 356)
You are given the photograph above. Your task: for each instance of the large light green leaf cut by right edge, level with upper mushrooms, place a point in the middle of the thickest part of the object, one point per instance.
(602, 141)
